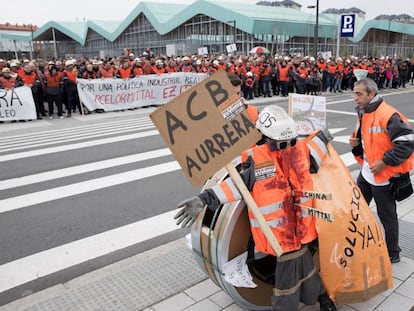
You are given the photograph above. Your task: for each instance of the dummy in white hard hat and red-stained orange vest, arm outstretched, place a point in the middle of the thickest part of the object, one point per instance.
(275, 172)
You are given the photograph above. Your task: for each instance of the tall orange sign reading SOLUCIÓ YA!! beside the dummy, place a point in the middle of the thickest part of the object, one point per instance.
(354, 262)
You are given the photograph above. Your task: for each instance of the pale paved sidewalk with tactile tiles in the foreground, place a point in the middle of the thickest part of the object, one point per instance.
(168, 278)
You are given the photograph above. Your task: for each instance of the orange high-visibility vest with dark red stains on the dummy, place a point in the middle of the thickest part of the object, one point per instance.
(277, 172)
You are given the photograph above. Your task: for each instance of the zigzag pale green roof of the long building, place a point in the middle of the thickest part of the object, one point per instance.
(251, 18)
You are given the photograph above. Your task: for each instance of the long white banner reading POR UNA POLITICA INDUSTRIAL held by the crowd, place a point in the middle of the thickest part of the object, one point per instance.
(117, 94)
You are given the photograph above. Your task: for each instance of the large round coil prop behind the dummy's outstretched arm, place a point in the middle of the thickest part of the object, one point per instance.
(218, 237)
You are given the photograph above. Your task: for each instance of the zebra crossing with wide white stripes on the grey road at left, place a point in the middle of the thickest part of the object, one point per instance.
(24, 190)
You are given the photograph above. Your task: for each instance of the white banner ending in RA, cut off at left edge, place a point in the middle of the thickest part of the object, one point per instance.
(17, 104)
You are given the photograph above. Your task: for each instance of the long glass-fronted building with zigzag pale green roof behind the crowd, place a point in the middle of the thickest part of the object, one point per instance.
(178, 29)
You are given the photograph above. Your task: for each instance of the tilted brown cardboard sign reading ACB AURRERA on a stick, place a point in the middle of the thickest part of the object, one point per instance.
(206, 127)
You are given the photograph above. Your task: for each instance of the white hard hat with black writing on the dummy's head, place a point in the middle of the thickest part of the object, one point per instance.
(275, 123)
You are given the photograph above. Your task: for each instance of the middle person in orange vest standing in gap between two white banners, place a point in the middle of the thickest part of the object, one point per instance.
(54, 84)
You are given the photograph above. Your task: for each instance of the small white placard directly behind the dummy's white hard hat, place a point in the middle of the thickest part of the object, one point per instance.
(309, 112)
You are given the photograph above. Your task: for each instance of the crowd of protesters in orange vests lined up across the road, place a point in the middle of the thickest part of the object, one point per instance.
(55, 81)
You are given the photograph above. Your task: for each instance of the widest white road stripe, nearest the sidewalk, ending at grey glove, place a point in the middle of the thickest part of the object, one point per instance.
(26, 269)
